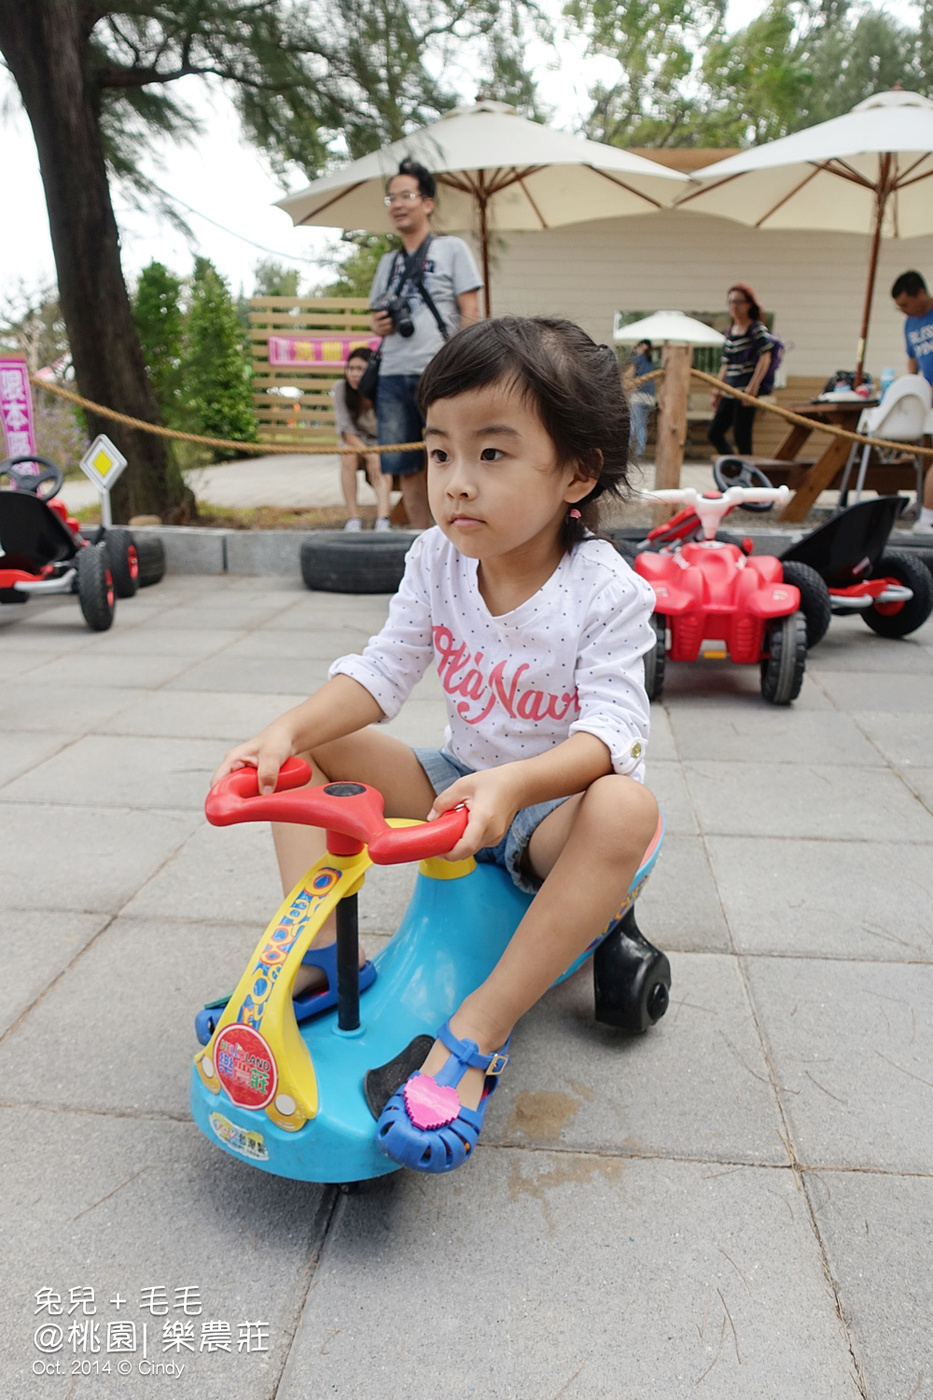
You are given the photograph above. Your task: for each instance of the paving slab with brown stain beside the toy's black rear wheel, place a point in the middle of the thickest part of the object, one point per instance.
(694, 1087)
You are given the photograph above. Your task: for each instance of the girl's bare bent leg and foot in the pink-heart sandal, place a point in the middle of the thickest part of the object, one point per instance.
(589, 850)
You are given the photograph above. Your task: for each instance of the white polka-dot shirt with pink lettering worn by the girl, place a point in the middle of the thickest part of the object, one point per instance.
(568, 660)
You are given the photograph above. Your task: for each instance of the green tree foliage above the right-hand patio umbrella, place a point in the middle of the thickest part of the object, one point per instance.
(686, 82)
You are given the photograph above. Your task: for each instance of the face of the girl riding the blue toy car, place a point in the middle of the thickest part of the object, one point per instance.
(494, 482)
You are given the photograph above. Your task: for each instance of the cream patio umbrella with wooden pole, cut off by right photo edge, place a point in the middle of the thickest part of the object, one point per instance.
(864, 173)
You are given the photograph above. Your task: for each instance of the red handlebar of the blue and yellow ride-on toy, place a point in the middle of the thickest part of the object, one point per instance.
(344, 810)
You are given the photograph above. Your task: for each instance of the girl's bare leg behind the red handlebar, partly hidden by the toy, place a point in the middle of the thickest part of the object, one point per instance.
(368, 757)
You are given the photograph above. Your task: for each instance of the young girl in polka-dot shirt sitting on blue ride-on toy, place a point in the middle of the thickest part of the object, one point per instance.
(537, 631)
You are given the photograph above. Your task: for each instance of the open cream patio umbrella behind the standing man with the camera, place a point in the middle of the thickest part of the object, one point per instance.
(497, 171)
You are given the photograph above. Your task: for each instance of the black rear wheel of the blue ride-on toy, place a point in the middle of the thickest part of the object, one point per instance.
(631, 979)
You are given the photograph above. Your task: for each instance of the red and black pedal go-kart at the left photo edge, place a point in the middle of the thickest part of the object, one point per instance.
(44, 552)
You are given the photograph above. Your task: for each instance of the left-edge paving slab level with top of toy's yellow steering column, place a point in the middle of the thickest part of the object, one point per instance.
(65, 857)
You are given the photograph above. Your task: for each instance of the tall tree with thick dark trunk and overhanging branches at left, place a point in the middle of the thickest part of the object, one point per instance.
(96, 80)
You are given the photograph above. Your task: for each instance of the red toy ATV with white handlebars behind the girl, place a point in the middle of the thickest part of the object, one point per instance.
(717, 601)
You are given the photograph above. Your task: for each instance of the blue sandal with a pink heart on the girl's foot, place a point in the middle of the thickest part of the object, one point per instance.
(424, 1125)
